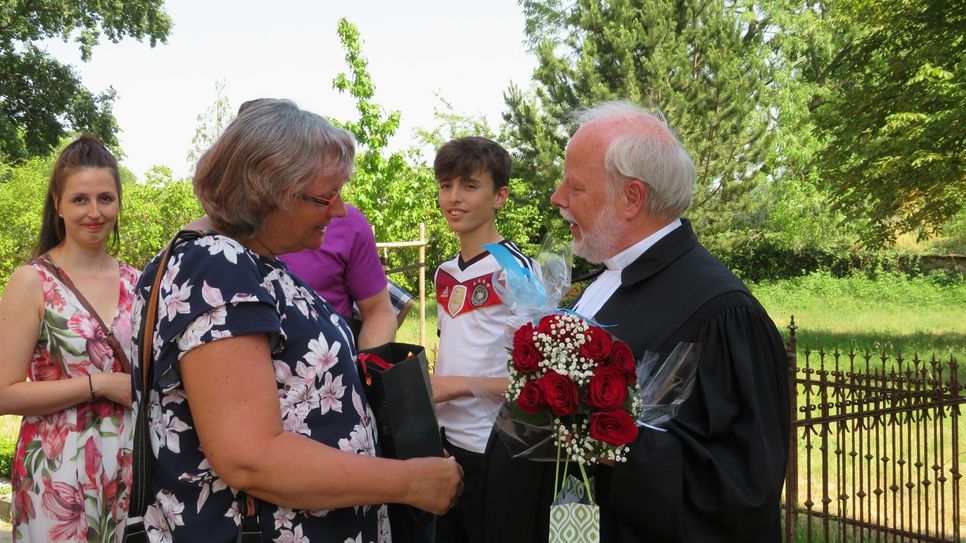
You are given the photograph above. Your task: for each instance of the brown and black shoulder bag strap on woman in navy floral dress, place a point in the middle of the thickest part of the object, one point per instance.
(134, 531)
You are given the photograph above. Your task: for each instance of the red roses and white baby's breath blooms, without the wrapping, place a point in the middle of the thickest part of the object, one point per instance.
(583, 378)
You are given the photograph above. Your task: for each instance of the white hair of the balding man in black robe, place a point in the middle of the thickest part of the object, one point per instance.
(662, 164)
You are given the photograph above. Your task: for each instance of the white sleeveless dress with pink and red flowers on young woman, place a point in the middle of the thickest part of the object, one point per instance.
(72, 469)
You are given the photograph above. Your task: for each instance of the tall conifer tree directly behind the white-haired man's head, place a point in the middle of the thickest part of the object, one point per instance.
(705, 63)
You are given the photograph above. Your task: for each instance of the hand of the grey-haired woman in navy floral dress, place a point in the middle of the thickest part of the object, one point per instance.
(435, 484)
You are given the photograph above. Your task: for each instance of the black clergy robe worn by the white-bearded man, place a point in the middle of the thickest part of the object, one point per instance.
(717, 473)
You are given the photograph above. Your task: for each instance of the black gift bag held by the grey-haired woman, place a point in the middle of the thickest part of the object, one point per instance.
(395, 377)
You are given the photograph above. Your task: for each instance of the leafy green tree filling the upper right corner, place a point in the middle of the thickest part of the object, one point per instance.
(890, 106)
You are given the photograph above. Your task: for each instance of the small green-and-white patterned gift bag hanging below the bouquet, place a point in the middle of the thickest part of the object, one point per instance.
(572, 520)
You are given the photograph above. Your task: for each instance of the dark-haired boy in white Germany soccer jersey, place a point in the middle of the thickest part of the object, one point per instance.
(470, 376)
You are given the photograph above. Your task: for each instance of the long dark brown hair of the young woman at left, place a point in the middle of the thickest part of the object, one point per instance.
(85, 152)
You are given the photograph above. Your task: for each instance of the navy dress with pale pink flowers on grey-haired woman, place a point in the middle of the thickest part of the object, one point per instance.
(215, 288)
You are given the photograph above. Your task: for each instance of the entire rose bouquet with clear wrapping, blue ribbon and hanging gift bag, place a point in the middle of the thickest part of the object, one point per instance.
(573, 392)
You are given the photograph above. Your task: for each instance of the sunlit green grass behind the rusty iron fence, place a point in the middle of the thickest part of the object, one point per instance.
(893, 314)
